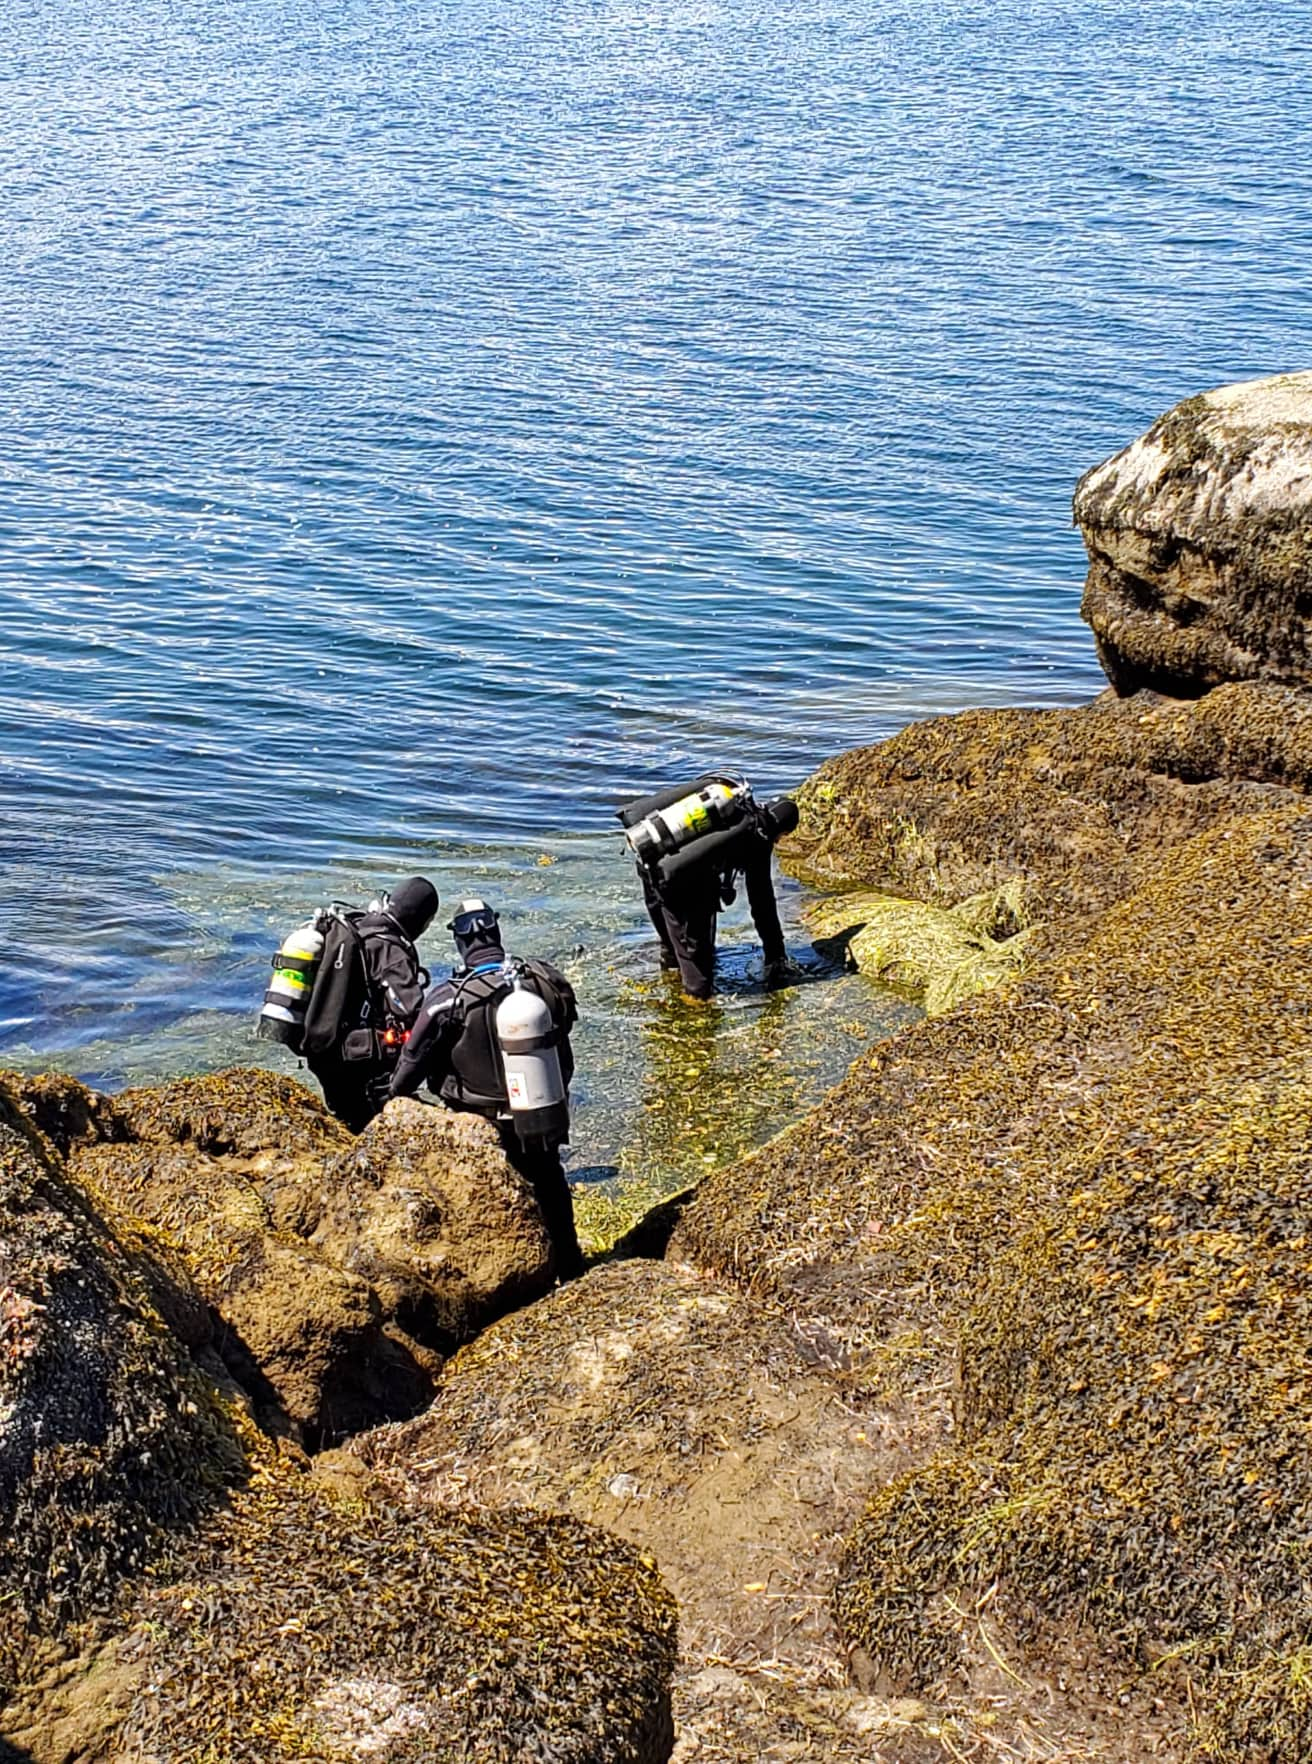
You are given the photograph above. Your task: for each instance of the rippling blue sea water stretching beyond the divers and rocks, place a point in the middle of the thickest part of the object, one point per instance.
(426, 424)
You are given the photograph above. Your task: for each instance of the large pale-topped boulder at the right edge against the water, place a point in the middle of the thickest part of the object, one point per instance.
(1200, 544)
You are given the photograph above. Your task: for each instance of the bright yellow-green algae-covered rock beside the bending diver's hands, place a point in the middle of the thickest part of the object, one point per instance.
(939, 955)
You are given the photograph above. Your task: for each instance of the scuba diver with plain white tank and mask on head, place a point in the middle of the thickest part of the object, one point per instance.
(495, 1040)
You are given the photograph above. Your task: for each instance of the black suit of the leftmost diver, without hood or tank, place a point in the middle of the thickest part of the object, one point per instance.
(371, 982)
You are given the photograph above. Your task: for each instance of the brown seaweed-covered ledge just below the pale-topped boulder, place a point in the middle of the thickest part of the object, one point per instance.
(1070, 809)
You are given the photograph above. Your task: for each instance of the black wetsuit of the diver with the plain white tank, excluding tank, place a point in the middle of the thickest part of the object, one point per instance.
(454, 1050)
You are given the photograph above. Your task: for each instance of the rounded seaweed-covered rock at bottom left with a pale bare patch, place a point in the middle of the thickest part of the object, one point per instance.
(336, 1631)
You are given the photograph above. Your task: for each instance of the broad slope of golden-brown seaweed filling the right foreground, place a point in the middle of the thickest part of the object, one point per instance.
(1091, 1193)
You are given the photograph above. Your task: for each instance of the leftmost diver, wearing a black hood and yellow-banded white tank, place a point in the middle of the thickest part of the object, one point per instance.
(347, 990)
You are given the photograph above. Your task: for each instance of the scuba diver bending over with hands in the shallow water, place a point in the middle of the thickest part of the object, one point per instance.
(694, 844)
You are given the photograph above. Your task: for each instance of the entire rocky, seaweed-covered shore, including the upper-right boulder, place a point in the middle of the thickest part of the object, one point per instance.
(967, 1419)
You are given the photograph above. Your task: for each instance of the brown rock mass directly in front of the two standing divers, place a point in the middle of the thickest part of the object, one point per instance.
(339, 1271)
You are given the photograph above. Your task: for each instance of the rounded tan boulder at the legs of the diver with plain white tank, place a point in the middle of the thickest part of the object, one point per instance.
(428, 1207)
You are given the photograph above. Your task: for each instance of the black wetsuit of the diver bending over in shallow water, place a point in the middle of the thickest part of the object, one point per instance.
(685, 909)
